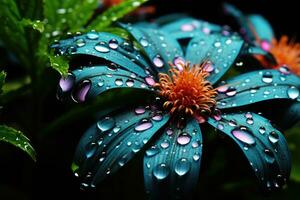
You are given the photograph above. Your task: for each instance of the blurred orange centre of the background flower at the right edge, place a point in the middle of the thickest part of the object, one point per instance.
(286, 52)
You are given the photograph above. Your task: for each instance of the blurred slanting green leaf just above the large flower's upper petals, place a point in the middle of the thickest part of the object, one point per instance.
(114, 13)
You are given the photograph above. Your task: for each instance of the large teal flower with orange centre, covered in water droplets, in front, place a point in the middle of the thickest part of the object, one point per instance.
(187, 93)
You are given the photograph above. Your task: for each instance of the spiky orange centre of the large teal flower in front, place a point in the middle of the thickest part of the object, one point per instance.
(186, 90)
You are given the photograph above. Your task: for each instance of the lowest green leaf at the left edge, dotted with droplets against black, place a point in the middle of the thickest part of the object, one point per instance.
(18, 139)
